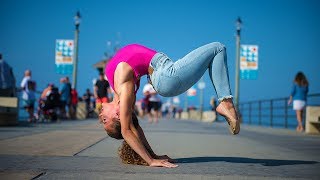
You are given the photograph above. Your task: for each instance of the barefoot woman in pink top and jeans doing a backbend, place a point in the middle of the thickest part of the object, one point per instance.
(169, 79)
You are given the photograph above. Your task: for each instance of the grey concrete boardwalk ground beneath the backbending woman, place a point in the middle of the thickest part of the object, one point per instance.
(82, 150)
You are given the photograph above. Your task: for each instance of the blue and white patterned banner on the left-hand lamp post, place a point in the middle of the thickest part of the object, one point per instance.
(64, 56)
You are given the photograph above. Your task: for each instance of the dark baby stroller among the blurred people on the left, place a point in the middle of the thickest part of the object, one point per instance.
(50, 107)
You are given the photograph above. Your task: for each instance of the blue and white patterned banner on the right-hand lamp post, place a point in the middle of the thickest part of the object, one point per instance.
(249, 62)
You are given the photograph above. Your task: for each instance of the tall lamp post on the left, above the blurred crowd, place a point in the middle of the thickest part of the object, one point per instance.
(77, 19)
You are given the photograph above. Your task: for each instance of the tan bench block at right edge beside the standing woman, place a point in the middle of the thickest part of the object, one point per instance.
(313, 119)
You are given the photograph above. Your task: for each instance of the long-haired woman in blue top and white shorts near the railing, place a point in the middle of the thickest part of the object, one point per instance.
(299, 97)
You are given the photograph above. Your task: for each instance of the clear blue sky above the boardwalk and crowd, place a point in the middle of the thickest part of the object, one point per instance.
(287, 33)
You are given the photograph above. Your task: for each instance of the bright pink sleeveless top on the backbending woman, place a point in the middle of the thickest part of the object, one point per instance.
(137, 56)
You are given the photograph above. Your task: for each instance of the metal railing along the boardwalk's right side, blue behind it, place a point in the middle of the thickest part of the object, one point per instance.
(273, 112)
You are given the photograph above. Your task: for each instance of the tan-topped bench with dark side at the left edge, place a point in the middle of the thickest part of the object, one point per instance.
(8, 111)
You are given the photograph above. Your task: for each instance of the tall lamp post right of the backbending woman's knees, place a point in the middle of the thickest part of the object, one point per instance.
(237, 80)
